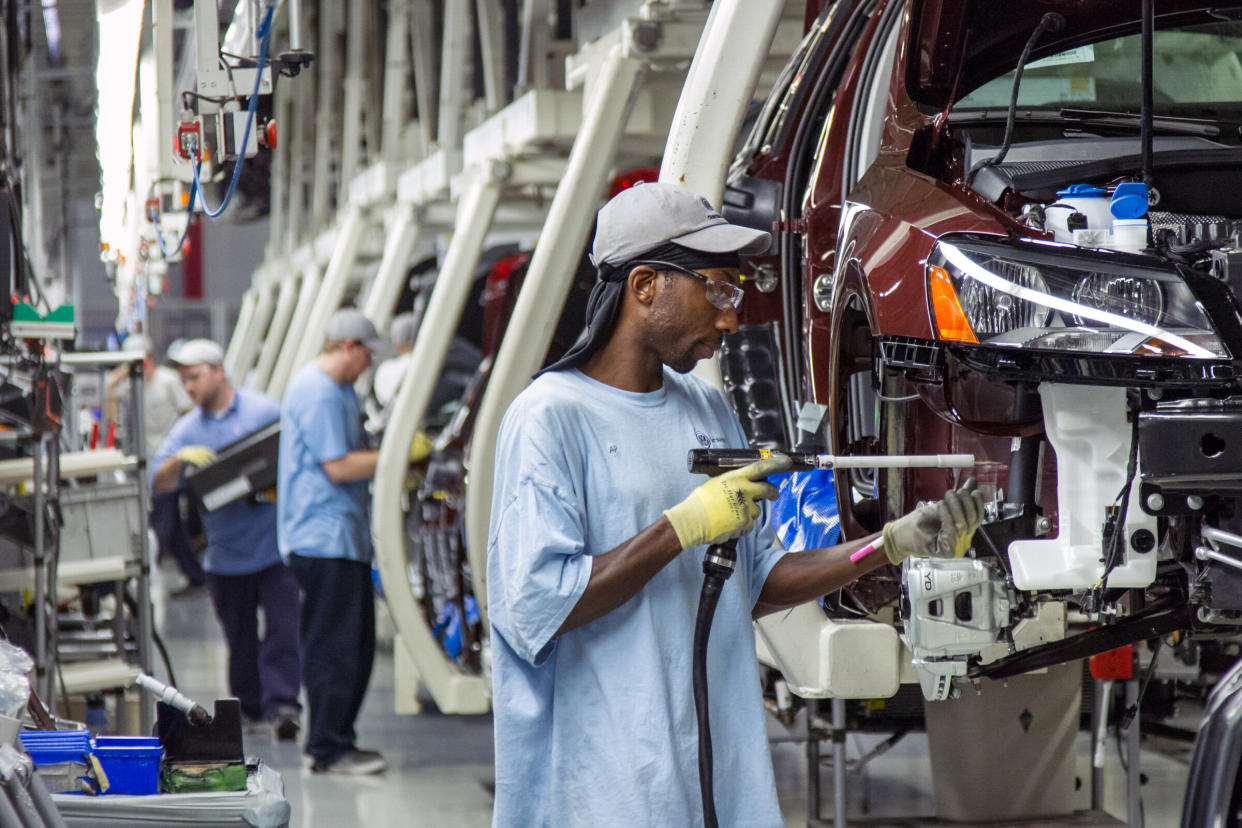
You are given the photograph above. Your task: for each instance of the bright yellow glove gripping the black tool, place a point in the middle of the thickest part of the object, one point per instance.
(726, 507)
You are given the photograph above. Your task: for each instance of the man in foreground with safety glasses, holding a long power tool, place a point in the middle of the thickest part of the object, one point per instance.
(597, 539)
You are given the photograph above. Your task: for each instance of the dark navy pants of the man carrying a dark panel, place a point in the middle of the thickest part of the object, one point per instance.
(263, 675)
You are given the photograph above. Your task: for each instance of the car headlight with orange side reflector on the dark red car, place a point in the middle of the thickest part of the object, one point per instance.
(1051, 297)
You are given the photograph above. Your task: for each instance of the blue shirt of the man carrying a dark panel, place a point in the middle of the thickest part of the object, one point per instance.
(242, 538)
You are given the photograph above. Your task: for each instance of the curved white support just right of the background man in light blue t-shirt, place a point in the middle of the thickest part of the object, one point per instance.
(454, 691)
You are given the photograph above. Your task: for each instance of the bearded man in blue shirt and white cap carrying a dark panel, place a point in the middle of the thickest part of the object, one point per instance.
(243, 560)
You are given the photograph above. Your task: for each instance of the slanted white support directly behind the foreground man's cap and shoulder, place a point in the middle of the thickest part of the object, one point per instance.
(546, 286)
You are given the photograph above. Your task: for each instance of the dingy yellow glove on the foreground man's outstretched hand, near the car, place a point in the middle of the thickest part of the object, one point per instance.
(941, 529)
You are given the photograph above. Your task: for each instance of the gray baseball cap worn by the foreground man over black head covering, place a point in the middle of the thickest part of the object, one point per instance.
(649, 215)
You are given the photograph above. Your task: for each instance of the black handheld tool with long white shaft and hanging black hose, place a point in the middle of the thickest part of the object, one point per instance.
(721, 559)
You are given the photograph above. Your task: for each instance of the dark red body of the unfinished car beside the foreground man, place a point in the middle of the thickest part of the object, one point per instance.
(793, 174)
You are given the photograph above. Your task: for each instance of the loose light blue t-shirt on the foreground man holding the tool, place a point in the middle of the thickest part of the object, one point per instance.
(597, 727)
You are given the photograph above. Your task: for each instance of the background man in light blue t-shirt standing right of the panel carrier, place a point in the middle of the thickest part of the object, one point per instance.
(326, 537)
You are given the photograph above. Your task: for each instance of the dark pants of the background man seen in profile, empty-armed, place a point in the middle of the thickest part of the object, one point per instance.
(338, 649)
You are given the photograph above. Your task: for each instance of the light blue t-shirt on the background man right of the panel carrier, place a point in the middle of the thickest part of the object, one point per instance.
(321, 421)
